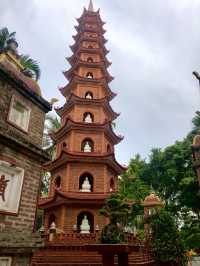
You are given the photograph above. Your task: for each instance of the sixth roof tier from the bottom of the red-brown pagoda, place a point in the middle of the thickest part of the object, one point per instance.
(73, 70)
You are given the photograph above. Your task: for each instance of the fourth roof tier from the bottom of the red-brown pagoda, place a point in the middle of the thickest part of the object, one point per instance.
(74, 99)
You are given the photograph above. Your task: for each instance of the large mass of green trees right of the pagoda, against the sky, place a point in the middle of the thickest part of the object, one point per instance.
(169, 172)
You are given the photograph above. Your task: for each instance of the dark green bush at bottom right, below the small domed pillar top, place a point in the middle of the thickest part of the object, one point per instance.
(166, 241)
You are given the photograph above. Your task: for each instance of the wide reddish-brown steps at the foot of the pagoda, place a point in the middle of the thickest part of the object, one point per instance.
(88, 254)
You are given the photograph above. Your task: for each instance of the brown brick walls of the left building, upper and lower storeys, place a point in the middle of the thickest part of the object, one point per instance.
(30, 164)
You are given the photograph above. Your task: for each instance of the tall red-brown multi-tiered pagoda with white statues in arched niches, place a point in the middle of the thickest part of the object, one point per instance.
(84, 171)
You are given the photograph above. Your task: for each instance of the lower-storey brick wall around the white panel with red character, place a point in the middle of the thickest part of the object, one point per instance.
(27, 207)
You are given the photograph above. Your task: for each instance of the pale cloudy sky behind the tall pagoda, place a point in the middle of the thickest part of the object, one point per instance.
(154, 46)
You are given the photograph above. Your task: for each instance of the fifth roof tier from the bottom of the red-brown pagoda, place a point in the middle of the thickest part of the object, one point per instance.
(80, 80)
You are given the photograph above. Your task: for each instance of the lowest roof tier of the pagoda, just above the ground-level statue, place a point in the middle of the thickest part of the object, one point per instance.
(65, 198)
